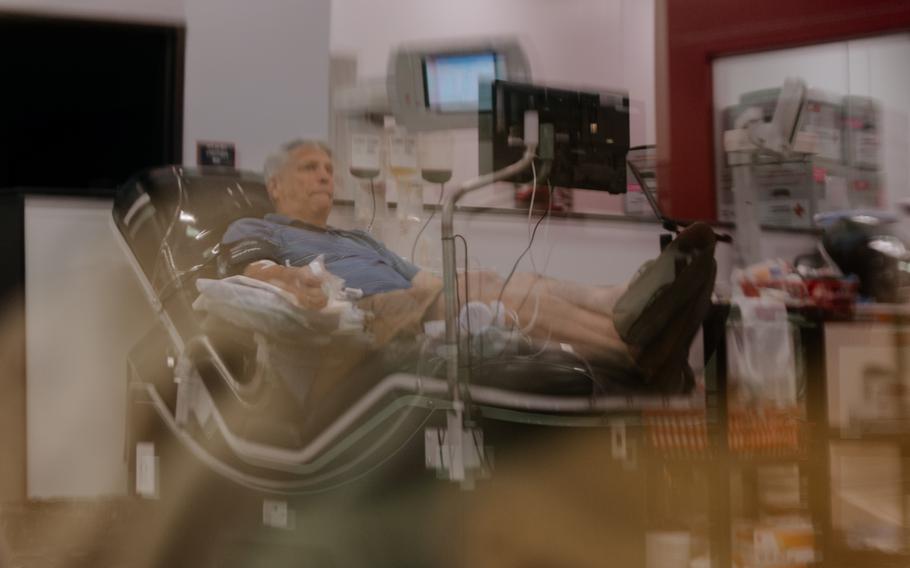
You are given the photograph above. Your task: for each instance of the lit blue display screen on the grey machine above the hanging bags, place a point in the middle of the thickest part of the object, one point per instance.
(451, 82)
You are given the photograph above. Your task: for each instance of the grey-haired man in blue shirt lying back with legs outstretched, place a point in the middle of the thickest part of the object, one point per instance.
(651, 322)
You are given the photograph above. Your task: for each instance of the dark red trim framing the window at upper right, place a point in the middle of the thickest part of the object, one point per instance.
(691, 33)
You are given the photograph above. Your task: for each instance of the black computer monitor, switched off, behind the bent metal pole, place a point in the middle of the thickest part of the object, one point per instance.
(590, 133)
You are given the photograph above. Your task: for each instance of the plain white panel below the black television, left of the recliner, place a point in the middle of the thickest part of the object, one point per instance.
(84, 311)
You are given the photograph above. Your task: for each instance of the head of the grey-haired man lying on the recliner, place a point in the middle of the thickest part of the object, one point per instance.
(303, 189)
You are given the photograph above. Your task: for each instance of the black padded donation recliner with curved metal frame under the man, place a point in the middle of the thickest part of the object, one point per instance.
(213, 389)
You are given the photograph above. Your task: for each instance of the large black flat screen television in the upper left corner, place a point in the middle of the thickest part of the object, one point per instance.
(85, 104)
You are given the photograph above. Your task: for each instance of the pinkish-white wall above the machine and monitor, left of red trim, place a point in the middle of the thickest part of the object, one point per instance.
(598, 44)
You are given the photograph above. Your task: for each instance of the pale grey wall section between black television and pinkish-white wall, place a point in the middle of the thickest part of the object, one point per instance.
(256, 74)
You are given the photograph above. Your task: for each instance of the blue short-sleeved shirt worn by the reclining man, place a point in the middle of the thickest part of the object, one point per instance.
(358, 258)
